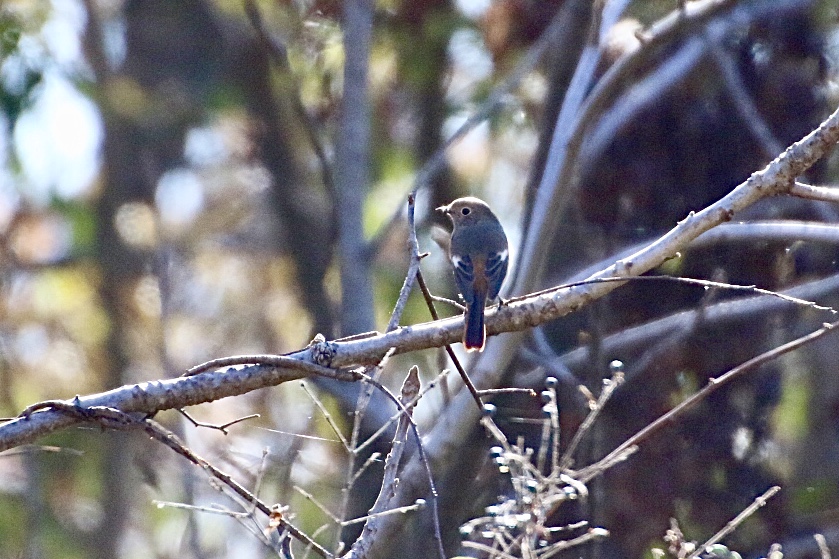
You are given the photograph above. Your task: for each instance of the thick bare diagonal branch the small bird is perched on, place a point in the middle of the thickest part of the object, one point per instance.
(323, 358)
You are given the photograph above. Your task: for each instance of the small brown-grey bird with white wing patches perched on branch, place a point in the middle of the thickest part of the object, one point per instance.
(478, 253)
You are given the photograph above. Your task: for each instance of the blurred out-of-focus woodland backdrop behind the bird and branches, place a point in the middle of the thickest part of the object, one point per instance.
(171, 191)
